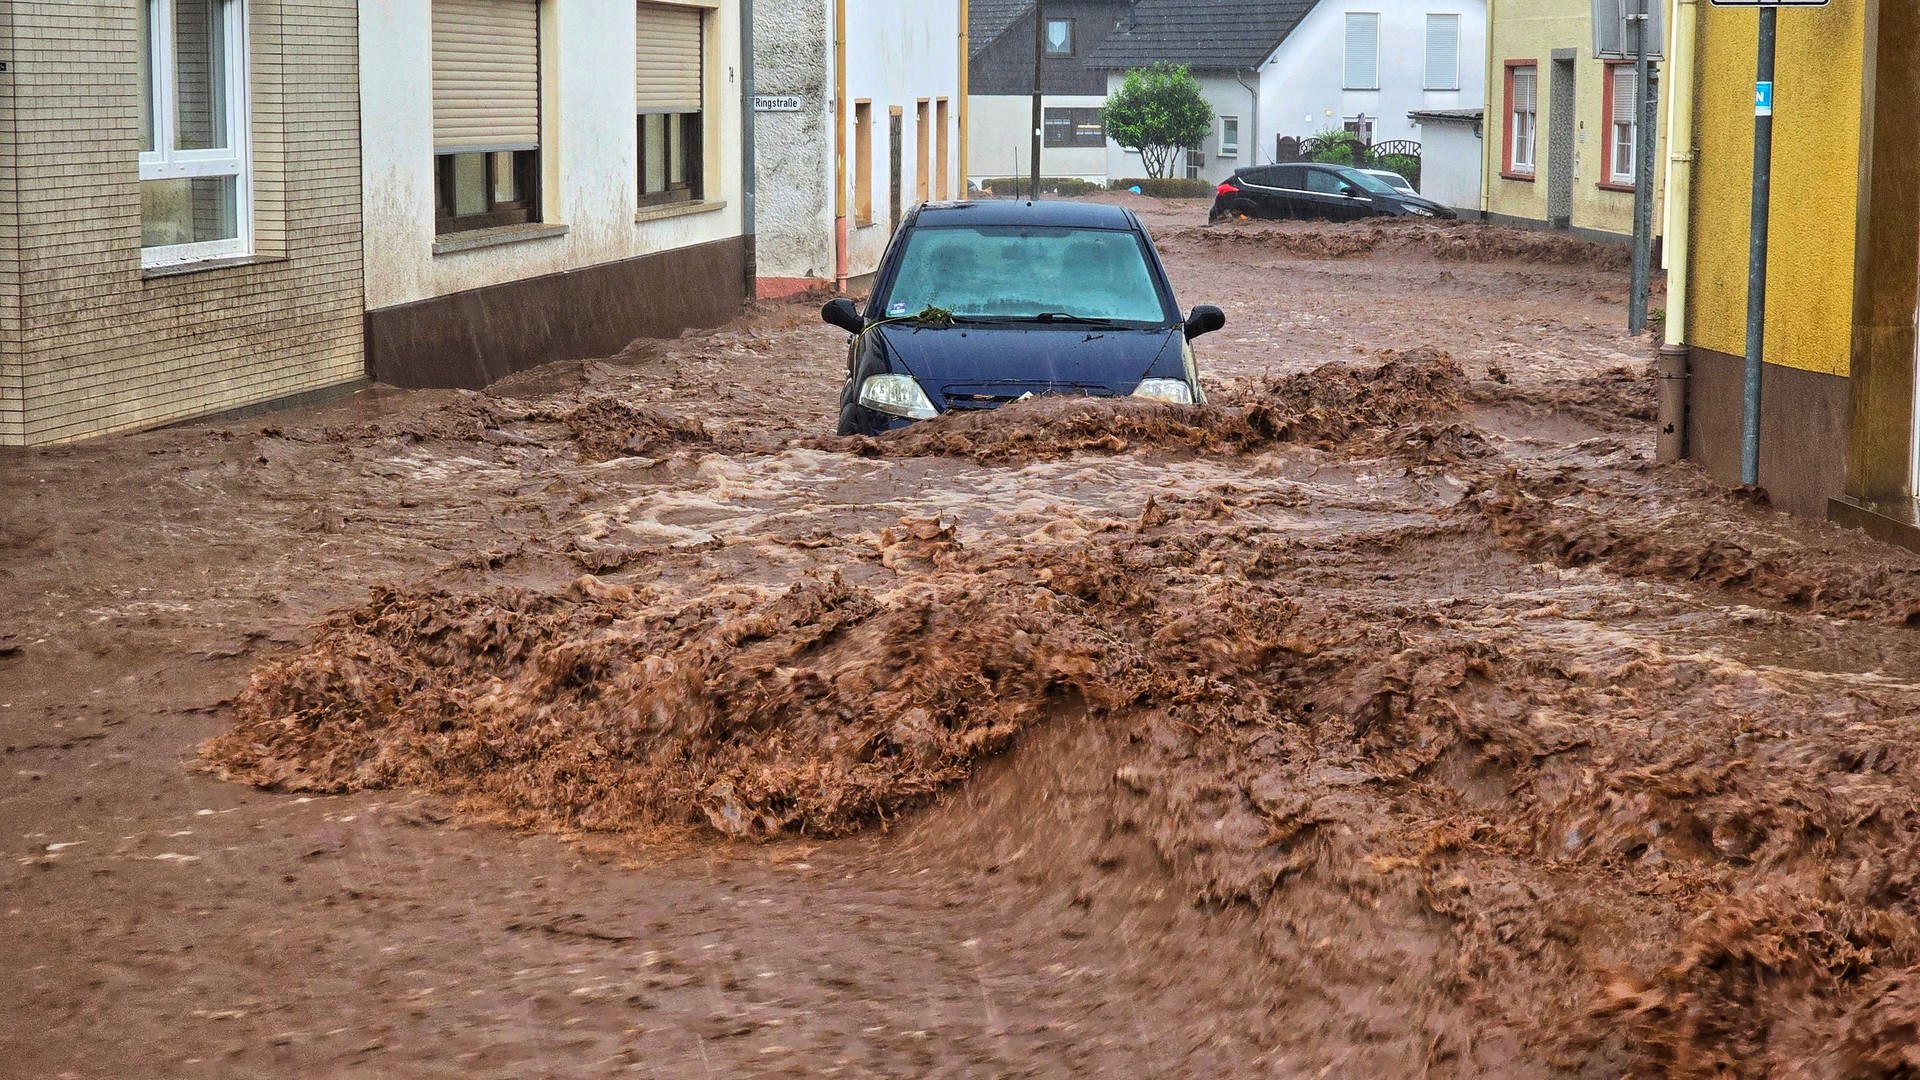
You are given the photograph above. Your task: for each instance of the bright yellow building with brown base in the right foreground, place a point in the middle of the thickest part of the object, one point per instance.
(1838, 380)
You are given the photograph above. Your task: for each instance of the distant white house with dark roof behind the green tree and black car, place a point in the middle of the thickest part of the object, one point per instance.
(1276, 68)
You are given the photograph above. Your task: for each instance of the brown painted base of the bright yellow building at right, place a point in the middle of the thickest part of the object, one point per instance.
(1804, 430)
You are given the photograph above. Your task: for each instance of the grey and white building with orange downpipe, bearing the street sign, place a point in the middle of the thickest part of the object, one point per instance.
(852, 130)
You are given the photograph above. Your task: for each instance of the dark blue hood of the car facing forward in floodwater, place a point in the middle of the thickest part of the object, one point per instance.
(1061, 360)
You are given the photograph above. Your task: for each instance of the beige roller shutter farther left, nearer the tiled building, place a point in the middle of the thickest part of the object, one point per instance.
(487, 76)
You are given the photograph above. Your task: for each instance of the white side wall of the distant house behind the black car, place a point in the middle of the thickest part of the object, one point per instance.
(1301, 87)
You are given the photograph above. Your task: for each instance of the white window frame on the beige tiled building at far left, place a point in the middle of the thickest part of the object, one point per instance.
(235, 160)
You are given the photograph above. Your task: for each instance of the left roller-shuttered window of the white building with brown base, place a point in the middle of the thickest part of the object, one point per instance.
(487, 114)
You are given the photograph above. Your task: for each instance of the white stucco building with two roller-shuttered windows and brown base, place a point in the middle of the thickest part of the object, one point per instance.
(546, 180)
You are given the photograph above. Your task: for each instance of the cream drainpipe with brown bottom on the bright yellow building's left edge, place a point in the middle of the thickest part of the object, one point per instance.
(1673, 362)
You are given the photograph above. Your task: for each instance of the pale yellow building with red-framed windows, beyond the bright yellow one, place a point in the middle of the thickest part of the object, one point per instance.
(1560, 122)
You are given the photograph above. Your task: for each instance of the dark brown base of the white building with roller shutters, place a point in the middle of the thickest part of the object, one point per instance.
(471, 339)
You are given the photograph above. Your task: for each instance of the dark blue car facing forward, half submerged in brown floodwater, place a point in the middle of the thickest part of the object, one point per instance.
(978, 305)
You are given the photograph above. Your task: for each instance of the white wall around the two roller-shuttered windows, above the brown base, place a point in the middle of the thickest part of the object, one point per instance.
(588, 151)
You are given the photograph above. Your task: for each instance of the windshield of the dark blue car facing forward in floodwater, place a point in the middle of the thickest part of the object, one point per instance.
(1026, 274)
